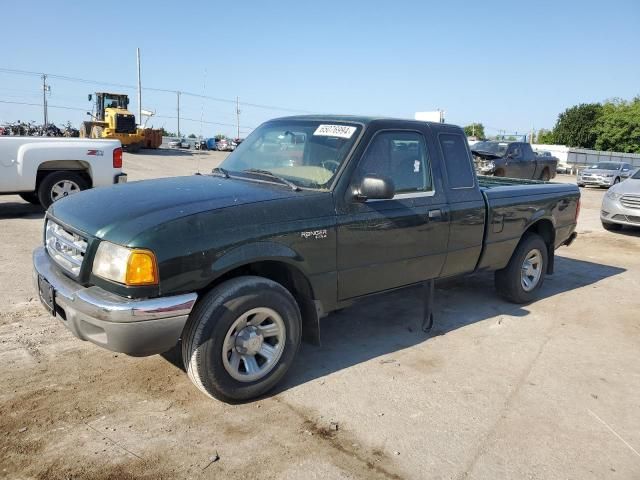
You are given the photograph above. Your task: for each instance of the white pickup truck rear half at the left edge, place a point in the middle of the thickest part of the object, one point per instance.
(43, 169)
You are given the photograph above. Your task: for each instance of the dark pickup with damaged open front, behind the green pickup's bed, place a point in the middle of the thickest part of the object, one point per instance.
(512, 159)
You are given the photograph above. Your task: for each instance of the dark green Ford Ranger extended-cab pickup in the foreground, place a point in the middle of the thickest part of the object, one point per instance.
(308, 215)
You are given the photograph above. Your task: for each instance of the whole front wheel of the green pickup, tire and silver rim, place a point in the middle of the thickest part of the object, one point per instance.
(241, 338)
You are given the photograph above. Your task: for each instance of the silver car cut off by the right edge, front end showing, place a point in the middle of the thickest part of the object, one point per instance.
(621, 204)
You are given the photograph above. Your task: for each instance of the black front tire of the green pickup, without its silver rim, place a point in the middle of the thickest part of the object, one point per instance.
(212, 319)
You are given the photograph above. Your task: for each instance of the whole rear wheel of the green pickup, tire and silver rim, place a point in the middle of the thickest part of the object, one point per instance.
(523, 276)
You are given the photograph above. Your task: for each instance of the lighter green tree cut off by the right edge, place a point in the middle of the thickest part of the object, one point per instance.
(618, 128)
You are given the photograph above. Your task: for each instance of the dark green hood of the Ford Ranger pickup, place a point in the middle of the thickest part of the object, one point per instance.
(119, 212)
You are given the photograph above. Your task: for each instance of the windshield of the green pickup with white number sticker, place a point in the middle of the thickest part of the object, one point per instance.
(307, 153)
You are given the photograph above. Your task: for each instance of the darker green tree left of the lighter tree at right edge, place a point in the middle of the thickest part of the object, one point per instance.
(575, 126)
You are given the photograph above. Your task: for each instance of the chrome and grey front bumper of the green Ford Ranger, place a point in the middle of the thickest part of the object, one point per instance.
(131, 326)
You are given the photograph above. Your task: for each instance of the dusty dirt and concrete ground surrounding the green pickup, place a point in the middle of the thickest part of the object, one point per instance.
(548, 390)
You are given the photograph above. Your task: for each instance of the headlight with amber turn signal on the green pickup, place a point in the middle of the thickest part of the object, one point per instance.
(129, 266)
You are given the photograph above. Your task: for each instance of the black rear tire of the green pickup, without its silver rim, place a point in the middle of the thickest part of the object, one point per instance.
(509, 280)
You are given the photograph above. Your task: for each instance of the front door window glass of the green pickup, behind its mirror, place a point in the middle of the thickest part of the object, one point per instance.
(400, 156)
